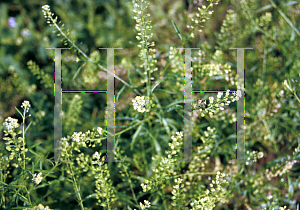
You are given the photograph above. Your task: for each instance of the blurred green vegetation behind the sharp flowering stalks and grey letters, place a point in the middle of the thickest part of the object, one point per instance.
(272, 115)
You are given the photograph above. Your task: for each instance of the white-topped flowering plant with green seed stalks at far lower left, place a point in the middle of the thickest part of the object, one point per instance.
(27, 181)
